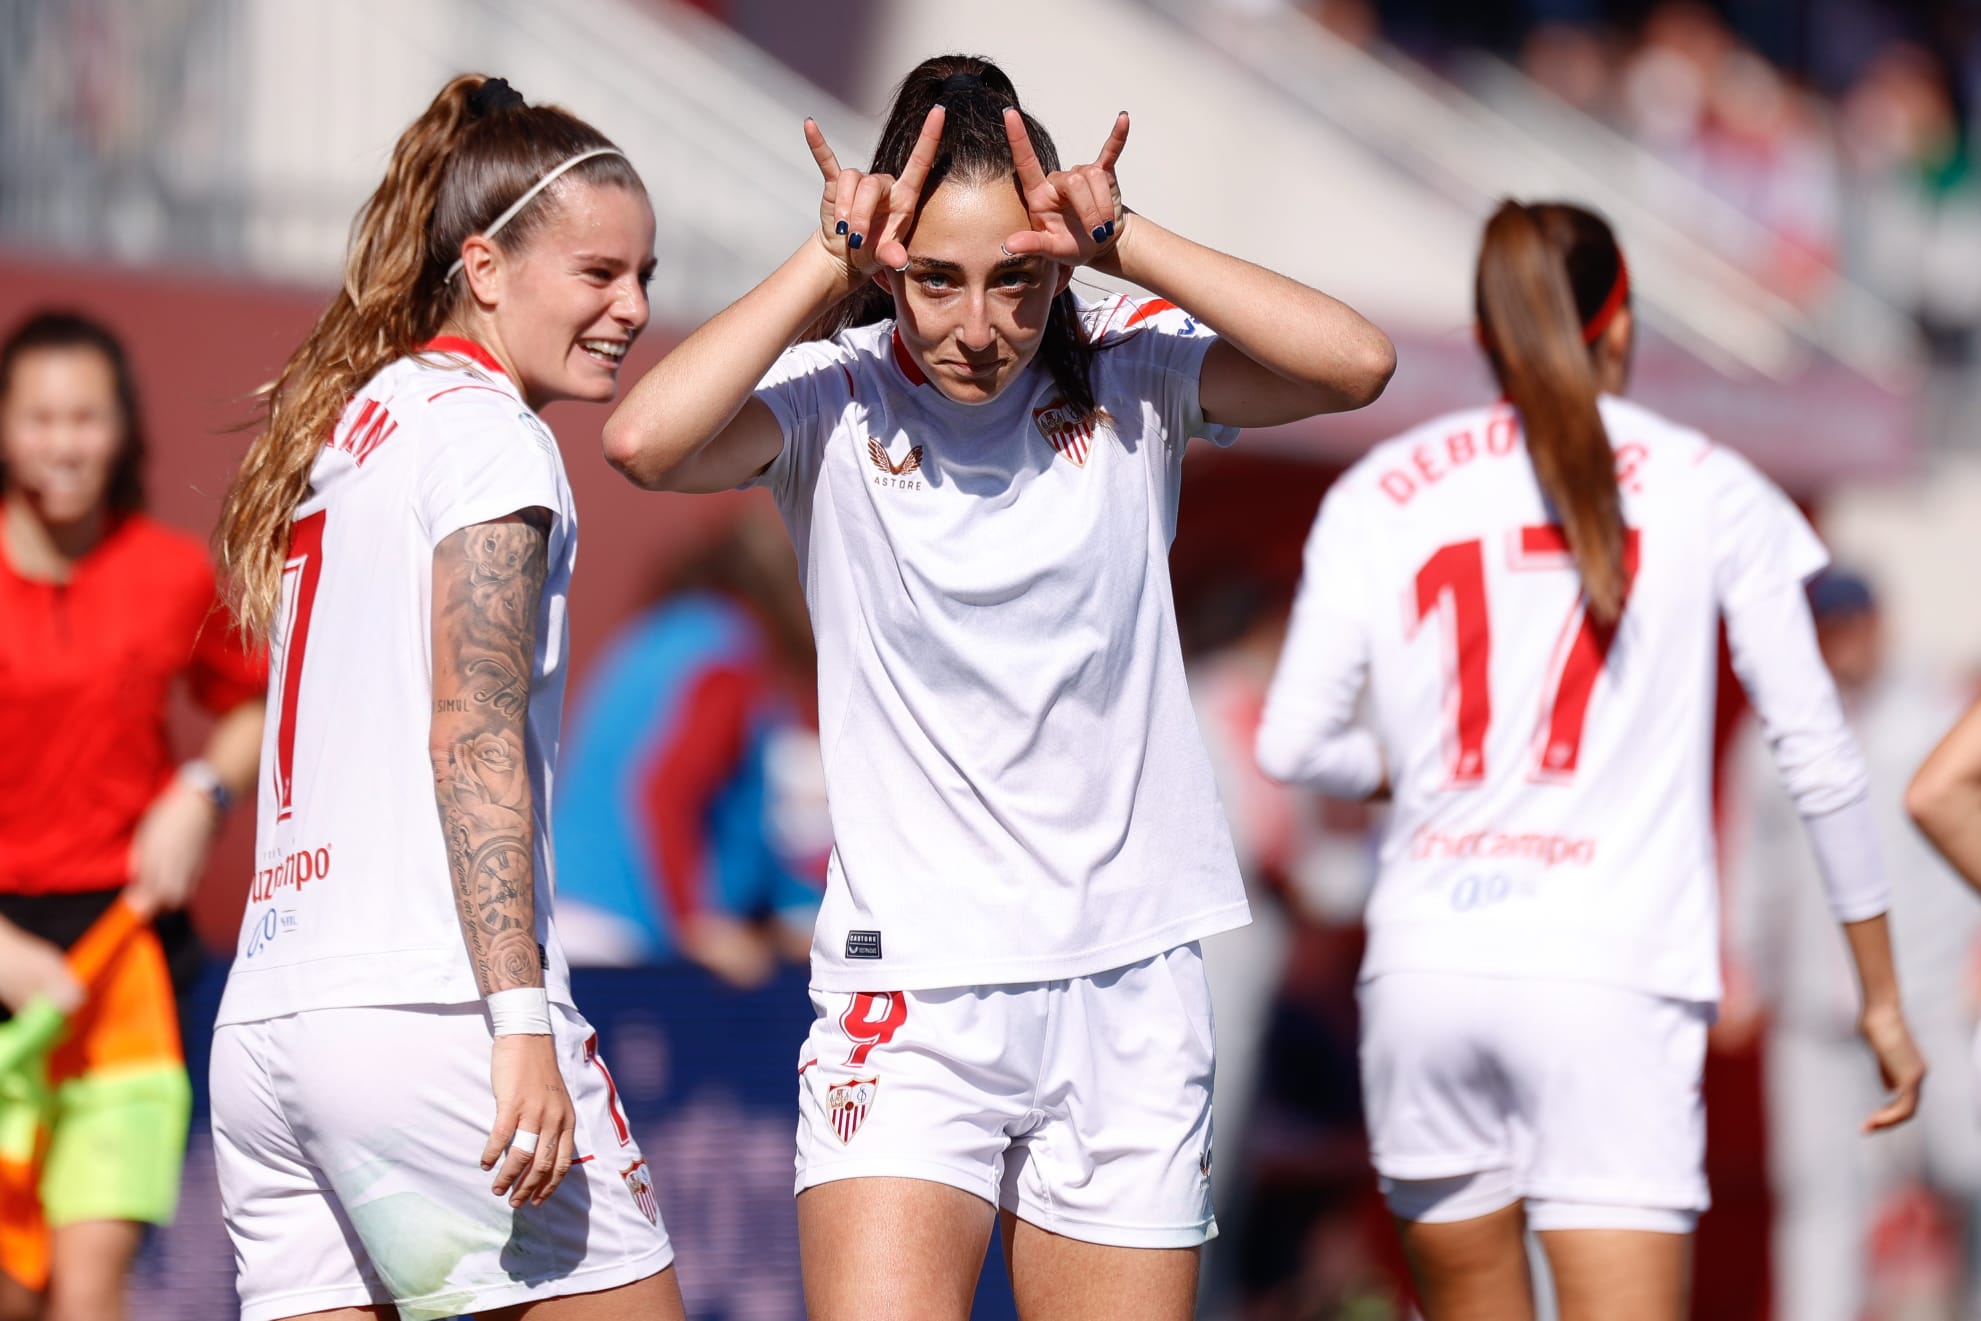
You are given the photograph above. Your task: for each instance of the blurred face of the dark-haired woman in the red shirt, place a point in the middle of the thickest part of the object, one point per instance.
(62, 431)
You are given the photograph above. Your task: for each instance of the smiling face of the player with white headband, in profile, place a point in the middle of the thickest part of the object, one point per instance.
(573, 300)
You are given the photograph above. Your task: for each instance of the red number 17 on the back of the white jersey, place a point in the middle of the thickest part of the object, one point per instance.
(1455, 579)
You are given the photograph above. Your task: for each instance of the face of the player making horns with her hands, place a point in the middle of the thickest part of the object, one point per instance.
(970, 316)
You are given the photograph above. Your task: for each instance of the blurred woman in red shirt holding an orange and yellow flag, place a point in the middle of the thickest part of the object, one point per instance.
(104, 613)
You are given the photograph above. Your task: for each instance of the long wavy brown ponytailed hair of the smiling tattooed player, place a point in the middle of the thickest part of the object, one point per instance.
(474, 152)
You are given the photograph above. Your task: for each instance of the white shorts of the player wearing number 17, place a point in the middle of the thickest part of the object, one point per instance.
(1576, 1098)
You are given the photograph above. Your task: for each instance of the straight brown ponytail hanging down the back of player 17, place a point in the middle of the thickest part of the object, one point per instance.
(1534, 268)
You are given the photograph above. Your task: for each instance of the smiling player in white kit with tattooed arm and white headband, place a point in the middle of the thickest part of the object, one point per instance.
(403, 536)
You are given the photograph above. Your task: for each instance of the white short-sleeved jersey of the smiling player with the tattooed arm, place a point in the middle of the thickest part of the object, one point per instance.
(352, 900)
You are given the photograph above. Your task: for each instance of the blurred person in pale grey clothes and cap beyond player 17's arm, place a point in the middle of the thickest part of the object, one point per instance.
(1786, 950)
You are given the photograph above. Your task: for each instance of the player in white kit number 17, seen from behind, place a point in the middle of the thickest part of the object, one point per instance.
(1528, 599)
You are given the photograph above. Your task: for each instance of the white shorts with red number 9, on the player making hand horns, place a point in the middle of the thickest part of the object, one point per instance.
(1083, 1106)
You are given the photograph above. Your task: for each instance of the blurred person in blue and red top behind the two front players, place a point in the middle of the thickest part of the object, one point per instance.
(690, 789)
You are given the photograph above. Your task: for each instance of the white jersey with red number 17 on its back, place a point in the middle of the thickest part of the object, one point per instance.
(1552, 785)
